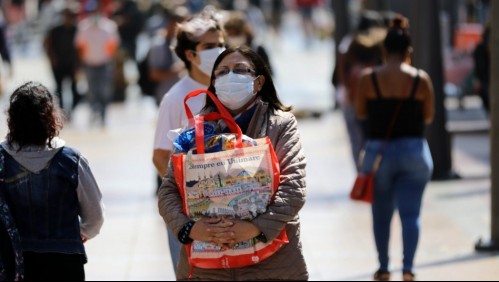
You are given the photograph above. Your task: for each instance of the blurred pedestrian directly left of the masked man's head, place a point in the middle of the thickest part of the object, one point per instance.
(164, 67)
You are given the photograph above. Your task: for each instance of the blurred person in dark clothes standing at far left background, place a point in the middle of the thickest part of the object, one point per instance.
(63, 57)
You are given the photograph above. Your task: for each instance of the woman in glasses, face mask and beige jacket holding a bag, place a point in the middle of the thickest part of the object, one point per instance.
(244, 86)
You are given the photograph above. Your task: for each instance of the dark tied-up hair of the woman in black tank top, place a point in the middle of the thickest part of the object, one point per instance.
(398, 39)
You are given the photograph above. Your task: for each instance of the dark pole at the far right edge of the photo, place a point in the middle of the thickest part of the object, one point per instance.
(493, 245)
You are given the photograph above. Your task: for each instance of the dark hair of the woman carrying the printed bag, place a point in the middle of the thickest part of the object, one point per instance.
(268, 92)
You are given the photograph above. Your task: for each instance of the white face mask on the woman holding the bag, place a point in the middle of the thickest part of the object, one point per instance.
(235, 90)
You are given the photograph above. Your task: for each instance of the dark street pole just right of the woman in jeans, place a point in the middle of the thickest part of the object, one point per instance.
(428, 56)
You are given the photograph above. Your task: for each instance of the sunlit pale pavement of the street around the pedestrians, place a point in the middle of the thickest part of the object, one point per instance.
(336, 232)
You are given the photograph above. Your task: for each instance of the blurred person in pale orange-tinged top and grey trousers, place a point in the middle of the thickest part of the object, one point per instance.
(97, 40)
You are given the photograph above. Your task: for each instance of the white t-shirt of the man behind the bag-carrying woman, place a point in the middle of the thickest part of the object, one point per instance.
(172, 113)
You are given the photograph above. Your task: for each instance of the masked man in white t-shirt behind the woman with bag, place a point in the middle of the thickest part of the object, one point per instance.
(199, 42)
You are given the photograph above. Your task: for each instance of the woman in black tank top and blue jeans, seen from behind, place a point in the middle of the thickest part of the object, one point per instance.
(397, 101)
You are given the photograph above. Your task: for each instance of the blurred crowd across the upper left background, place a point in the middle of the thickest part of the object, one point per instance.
(94, 40)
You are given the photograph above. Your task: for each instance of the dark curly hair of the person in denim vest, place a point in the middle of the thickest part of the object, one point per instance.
(33, 116)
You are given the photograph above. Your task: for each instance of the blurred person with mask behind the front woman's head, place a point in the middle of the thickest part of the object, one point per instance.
(240, 33)
